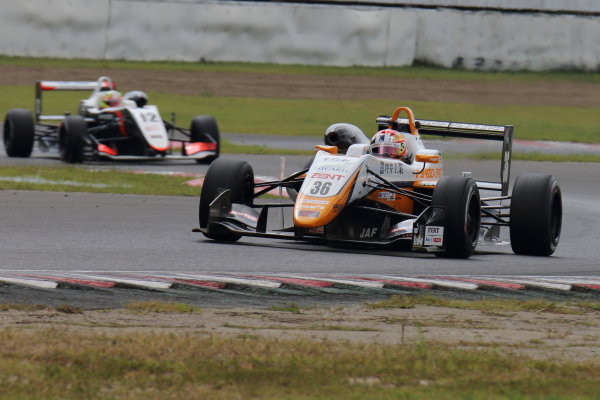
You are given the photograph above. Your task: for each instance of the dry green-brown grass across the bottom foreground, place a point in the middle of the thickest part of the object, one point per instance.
(74, 364)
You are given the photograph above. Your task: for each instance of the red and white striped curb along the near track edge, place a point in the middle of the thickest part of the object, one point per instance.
(153, 280)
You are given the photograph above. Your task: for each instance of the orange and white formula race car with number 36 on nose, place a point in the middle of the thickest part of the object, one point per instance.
(349, 196)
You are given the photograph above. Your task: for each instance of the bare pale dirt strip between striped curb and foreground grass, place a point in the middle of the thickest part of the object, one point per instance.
(540, 335)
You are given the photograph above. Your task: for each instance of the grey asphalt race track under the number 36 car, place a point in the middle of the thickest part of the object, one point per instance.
(80, 231)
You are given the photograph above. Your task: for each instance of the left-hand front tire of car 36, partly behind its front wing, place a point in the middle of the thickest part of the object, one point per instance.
(235, 175)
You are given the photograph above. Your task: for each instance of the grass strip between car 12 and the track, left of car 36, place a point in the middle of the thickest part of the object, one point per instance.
(77, 179)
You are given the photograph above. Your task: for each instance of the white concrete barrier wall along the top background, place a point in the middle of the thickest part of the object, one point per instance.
(194, 30)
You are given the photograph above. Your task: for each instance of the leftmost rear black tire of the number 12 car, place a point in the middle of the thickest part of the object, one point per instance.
(18, 133)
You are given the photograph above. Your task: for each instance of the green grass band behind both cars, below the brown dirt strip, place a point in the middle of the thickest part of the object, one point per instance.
(310, 117)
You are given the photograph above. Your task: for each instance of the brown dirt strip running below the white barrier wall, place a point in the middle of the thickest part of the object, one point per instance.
(287, 86)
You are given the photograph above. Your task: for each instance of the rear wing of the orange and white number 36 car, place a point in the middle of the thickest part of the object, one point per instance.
(501, 133)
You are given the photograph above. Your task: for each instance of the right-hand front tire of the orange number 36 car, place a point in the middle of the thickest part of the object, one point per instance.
(459, 197)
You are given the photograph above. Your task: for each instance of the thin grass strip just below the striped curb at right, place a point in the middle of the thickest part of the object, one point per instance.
(490, 304)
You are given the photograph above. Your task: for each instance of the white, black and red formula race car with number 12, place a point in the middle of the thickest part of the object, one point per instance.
(133, 130)
